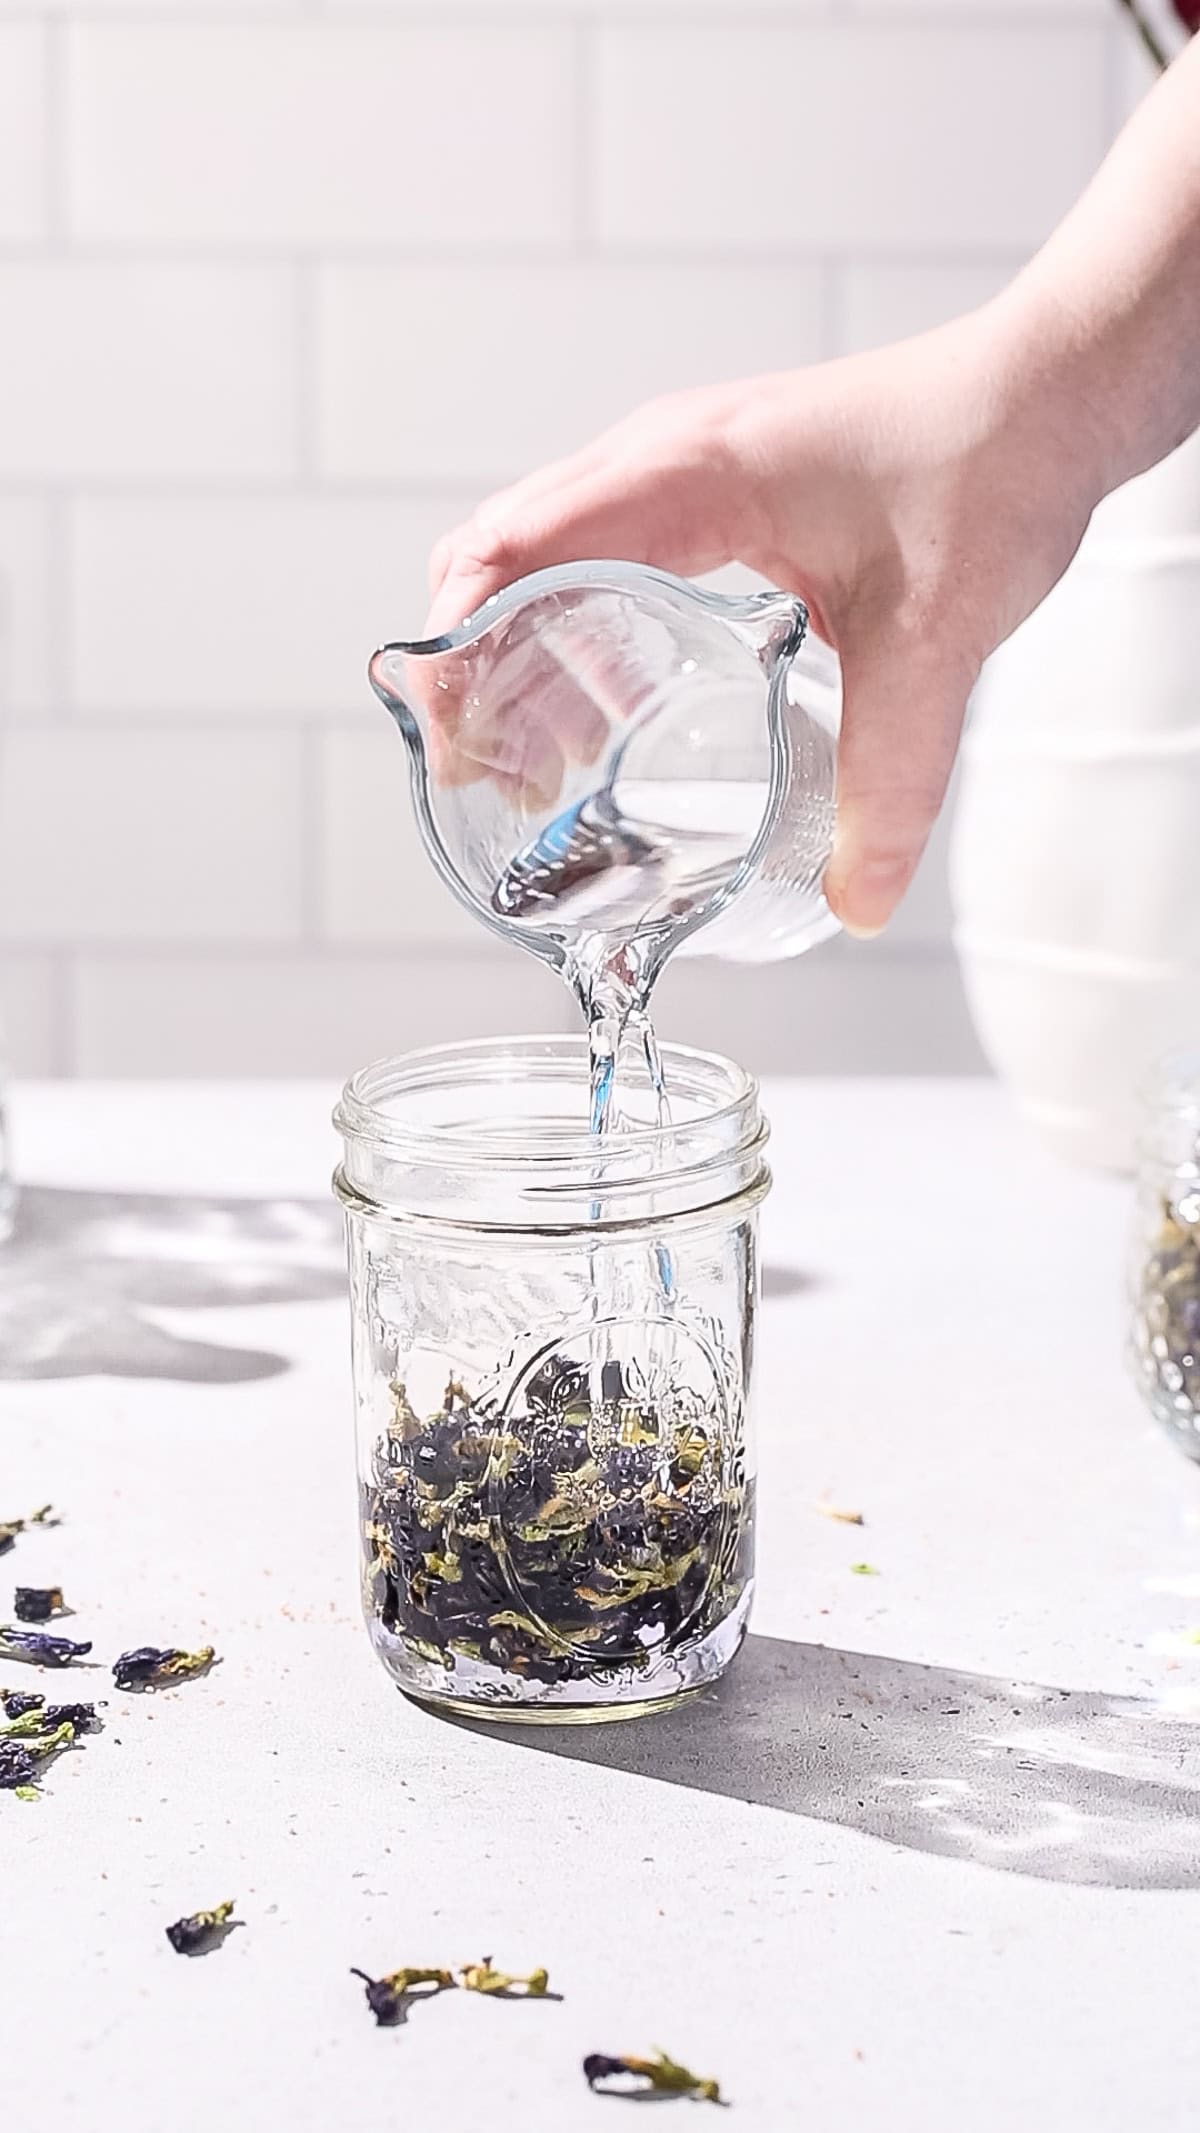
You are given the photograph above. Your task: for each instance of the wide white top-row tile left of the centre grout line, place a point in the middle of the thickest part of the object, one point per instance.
(306, 135)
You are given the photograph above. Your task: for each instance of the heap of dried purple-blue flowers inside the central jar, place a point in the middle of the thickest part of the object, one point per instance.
(536, 1554)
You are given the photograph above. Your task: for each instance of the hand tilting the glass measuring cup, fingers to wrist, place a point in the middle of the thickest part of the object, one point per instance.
(922, 500)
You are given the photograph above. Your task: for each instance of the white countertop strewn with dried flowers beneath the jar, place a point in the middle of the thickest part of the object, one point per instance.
(930, 1861)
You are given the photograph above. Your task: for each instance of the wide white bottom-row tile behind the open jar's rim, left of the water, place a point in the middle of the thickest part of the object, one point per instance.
(295, 1014)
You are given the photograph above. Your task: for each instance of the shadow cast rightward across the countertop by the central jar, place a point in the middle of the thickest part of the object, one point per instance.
(1058, 1784)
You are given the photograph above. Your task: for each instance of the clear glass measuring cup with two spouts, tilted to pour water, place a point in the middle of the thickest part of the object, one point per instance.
(611, 760)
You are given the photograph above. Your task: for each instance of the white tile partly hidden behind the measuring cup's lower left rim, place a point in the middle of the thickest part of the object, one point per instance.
(374, 880)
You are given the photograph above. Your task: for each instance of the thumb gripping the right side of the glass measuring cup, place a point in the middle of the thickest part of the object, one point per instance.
(901, 731)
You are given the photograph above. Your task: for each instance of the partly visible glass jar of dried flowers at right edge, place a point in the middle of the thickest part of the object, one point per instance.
(1167, 1255)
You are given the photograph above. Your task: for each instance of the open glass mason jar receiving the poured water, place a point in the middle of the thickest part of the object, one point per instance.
(553, 1353)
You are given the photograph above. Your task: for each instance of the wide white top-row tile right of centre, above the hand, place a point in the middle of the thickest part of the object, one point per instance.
(892, 135)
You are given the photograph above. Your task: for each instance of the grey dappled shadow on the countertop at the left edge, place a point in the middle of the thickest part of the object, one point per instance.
(86, 1274)
